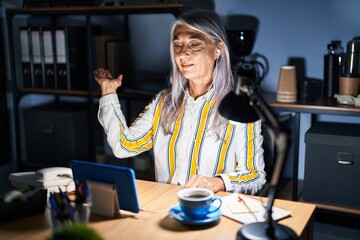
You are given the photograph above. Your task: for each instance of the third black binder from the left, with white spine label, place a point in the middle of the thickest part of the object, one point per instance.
(48, 50)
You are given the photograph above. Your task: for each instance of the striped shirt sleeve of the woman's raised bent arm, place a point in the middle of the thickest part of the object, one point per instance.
(126, 141)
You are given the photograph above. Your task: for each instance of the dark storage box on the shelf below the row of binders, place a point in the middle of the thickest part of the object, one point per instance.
(56, 134)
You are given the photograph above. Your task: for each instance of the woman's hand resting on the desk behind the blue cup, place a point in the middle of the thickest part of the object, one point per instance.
(215, 184)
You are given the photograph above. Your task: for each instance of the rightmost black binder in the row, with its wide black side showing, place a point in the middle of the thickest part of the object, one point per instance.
(71, 57)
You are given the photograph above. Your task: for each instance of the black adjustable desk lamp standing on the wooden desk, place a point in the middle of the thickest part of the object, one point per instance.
(245, 104)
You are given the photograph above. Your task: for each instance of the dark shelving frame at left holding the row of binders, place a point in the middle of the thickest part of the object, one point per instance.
(91, 93)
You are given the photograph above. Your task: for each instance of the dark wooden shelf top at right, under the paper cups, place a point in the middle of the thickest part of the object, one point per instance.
(319, 105)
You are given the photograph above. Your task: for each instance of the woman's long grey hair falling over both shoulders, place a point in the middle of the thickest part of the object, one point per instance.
(208, 23)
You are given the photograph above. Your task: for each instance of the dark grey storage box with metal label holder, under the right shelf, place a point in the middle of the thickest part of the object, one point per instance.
(332, 164)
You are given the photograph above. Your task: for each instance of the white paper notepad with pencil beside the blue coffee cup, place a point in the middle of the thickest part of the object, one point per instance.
(233, 209)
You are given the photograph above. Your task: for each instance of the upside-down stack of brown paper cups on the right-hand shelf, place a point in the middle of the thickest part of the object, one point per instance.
(287, 85)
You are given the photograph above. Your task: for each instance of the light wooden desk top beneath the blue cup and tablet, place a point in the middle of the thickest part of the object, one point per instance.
(157, 197)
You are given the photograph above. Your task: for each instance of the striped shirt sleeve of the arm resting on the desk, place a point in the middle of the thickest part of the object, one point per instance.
(249, 176)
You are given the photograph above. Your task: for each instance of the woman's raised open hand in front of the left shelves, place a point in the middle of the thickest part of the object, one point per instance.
(106, 81)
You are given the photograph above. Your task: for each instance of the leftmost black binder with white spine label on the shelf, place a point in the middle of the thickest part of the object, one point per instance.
(25, 57)
